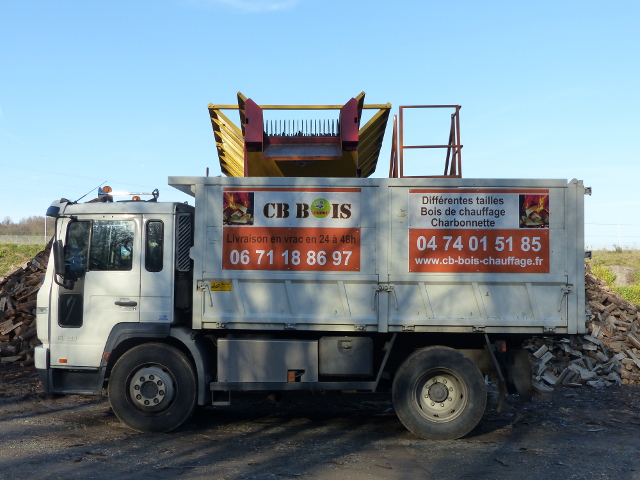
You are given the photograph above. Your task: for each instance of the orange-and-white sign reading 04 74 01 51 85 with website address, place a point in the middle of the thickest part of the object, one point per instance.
(475, 230)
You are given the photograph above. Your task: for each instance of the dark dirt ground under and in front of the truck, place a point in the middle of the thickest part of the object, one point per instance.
(583, 434)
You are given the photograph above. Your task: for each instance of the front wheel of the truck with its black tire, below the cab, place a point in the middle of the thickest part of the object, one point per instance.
(153, 388)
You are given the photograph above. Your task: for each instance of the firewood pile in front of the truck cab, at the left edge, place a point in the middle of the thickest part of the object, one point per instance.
(18, 291)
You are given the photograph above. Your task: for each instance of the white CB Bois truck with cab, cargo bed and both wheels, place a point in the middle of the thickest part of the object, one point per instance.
(420, 286)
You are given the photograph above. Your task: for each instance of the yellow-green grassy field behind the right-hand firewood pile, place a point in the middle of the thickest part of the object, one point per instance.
(602, 259)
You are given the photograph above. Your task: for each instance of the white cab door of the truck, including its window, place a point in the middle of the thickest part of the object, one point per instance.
(102, 254)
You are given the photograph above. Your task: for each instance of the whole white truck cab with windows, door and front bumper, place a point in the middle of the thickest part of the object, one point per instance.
(120, 277)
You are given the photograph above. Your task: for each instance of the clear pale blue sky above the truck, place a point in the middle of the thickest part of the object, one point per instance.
(117, 91)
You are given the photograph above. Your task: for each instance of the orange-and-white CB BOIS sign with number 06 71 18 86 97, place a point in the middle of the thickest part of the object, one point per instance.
(291, 229)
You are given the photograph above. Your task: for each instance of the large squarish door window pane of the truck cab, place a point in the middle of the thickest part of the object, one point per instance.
(111, 245)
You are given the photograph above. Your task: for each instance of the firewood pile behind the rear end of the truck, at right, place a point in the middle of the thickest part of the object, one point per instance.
(608, 355)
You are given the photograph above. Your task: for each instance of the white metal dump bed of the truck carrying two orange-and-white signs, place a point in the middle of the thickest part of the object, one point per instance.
(388, 255)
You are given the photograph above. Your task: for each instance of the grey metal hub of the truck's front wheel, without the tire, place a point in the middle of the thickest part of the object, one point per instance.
(151, 388)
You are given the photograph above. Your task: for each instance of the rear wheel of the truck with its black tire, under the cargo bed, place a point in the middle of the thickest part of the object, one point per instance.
(439, 393)
